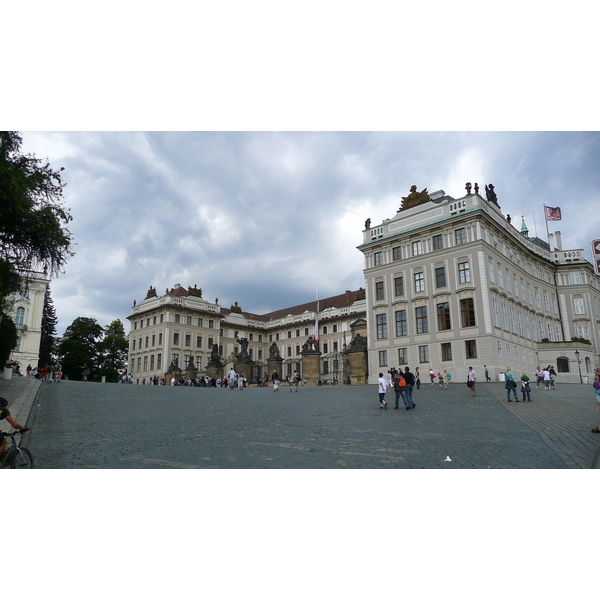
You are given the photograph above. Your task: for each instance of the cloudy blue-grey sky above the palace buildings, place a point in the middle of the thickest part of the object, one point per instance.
(265, 218)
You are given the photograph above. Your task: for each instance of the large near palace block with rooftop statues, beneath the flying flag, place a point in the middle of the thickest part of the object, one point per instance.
(451, 283)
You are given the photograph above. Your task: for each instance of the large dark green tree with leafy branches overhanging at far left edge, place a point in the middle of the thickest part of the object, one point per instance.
(33, 232)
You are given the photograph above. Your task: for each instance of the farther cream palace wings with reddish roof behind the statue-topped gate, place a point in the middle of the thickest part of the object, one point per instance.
(182, 327)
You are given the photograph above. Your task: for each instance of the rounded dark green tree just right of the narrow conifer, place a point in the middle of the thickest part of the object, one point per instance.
(79, 345)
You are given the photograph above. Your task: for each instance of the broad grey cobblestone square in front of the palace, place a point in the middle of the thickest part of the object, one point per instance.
(89, 425)
